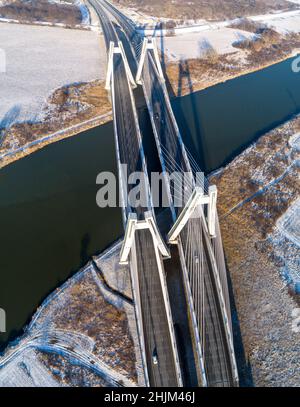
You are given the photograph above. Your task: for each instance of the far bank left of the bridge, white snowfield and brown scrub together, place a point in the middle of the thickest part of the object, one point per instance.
(48, 84)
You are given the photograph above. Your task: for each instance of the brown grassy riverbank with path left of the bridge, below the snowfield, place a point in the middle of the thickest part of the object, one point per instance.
(69, 111)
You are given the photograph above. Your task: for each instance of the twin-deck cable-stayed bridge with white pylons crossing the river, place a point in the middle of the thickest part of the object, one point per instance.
(190, 232)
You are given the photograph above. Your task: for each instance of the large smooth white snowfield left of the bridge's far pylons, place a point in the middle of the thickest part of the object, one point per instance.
(40, 60)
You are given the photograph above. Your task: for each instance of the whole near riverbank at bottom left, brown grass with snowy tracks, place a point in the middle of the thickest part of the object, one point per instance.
(84, 333)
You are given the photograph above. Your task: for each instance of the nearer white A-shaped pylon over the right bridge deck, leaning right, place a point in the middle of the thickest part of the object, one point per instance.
(197, 199)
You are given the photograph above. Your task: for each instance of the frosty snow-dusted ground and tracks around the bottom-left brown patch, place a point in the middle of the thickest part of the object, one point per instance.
(42, 334)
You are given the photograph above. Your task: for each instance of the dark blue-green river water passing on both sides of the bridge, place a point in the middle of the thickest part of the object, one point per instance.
(50, 224)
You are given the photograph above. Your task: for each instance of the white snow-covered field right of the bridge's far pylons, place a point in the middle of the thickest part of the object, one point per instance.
(194, 45)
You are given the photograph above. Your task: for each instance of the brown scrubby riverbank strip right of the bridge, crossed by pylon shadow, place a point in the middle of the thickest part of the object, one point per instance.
(187, 76)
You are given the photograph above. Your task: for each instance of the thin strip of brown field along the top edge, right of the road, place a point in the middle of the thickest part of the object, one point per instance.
(211, 10)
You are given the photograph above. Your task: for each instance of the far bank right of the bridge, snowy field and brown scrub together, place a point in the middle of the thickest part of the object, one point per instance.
(219, 53)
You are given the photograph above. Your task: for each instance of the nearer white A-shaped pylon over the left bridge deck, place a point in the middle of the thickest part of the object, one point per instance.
(132, 226)
